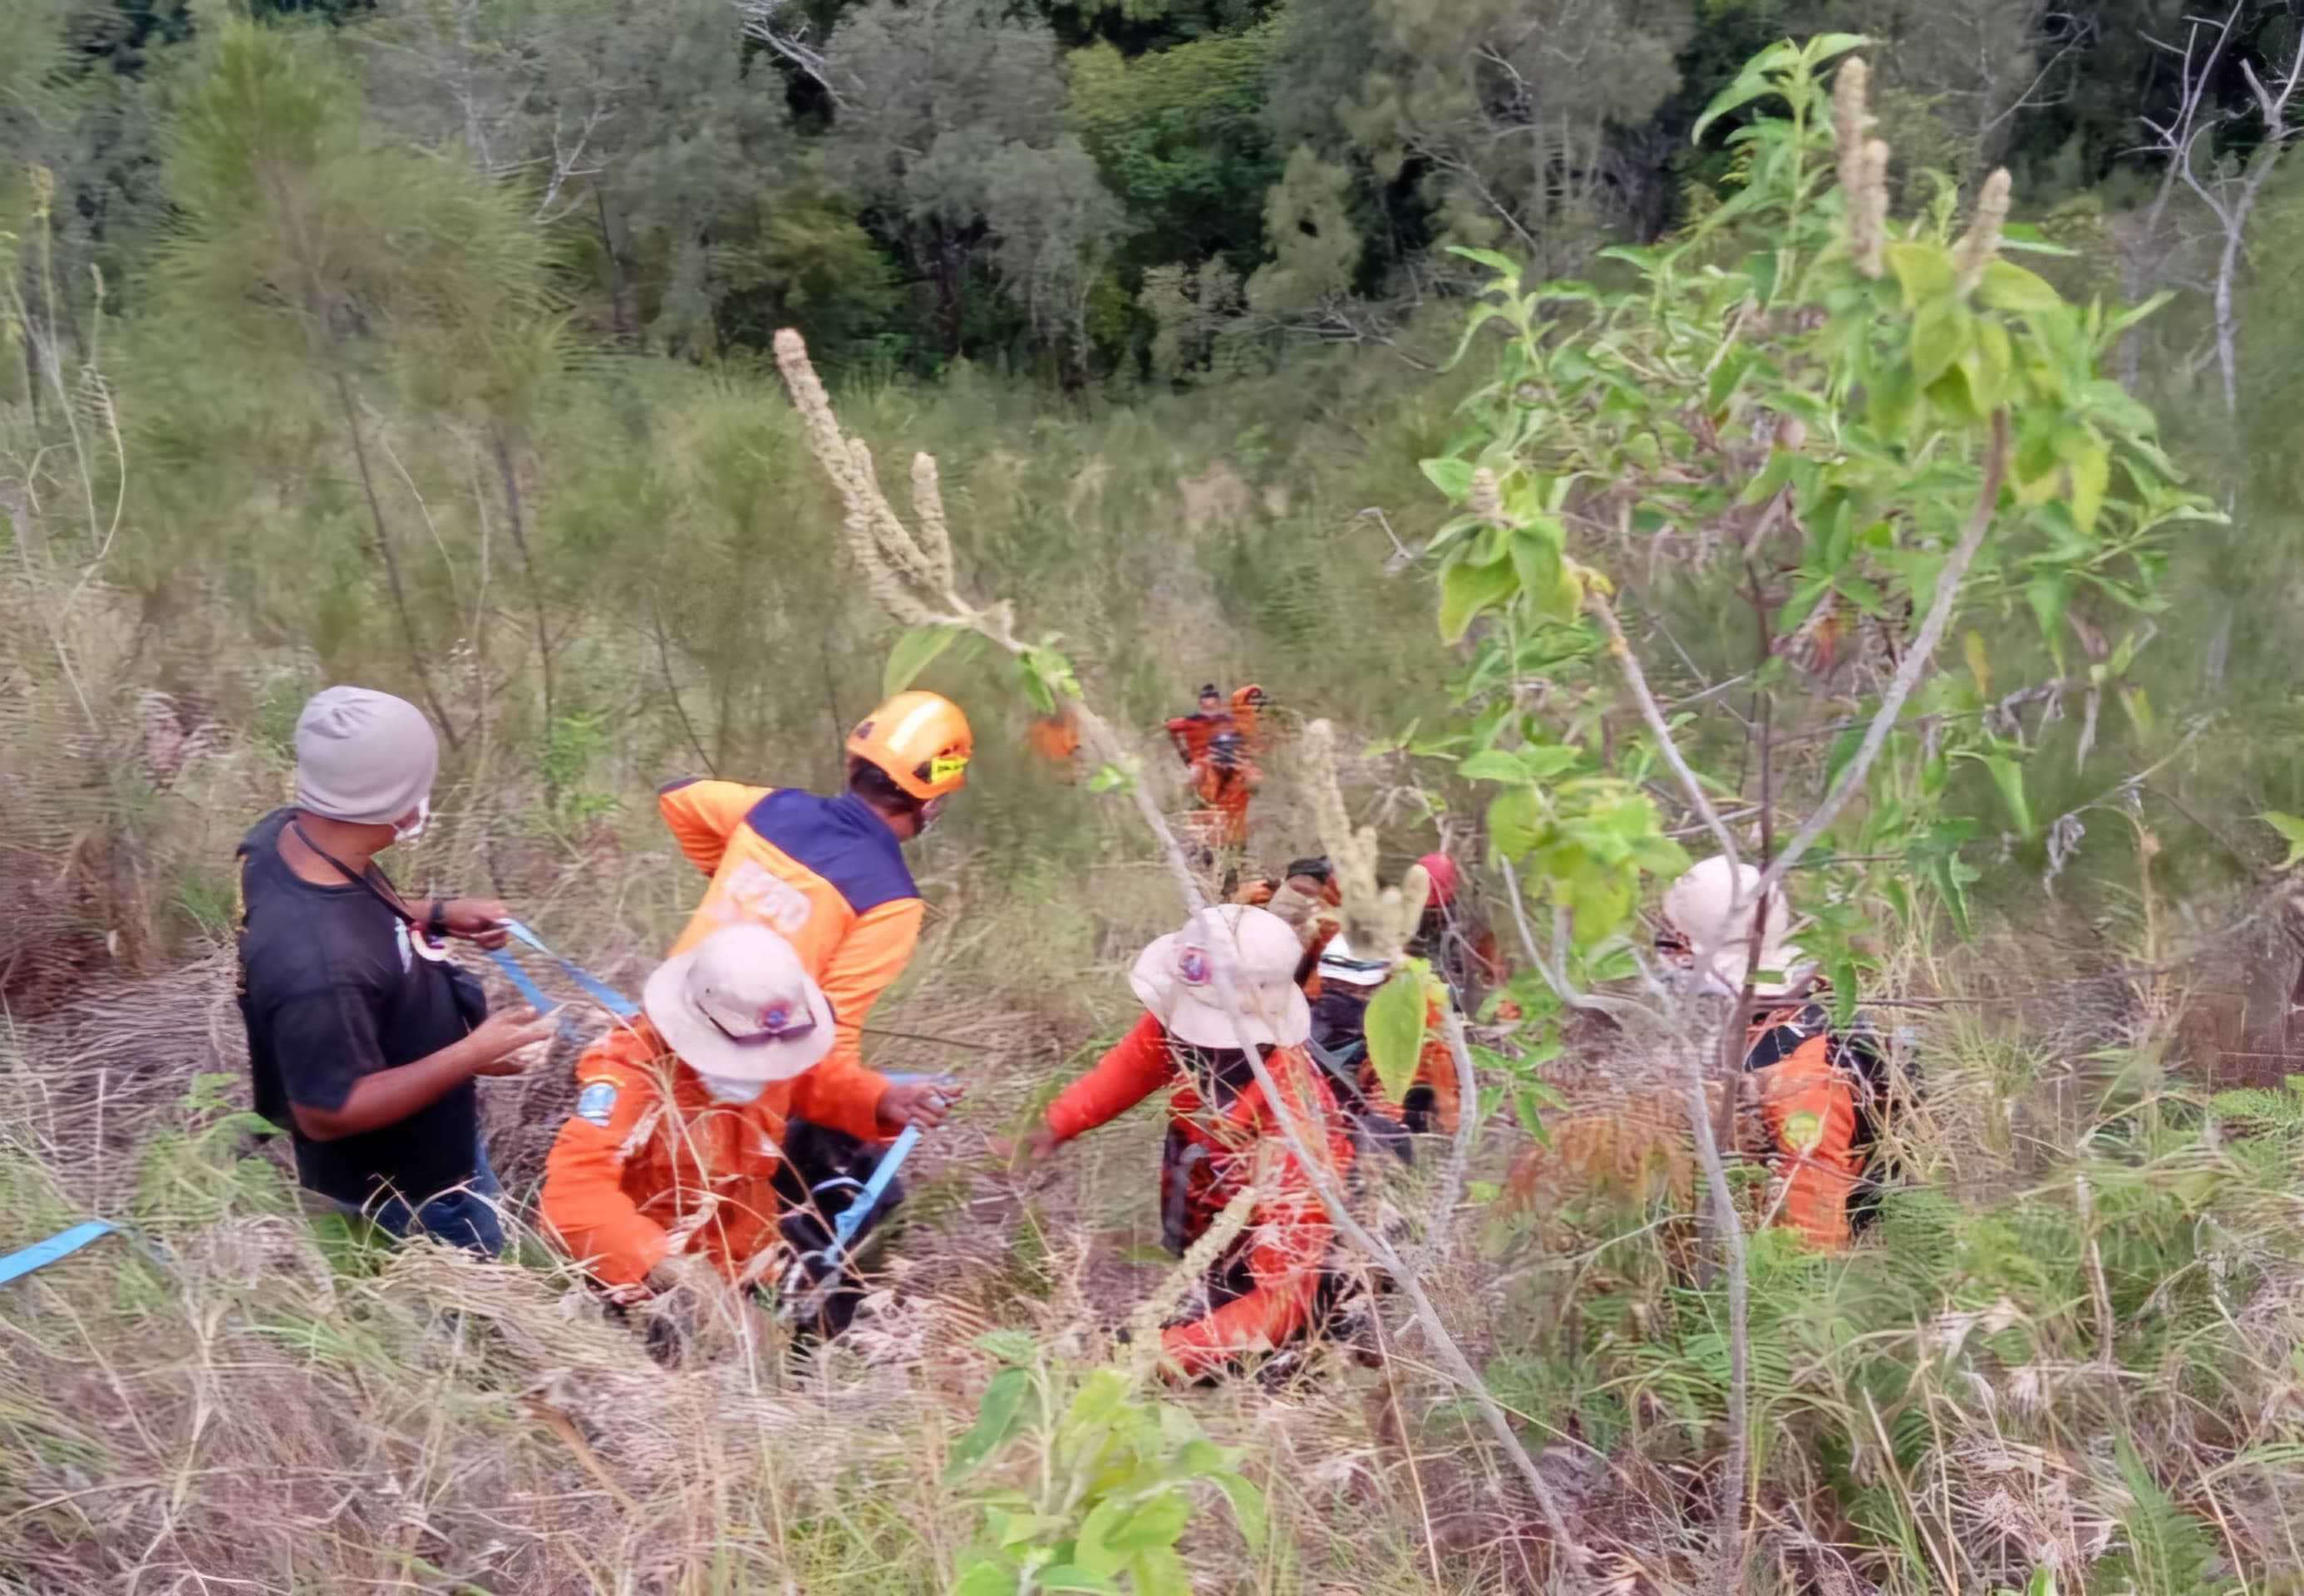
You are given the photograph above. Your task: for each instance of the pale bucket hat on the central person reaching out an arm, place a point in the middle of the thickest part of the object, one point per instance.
(1176, 980)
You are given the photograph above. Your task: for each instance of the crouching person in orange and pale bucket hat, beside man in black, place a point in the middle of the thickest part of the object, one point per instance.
(676, 1146)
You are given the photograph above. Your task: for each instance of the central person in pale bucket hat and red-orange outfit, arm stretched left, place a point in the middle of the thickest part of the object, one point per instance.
(1273, 1284)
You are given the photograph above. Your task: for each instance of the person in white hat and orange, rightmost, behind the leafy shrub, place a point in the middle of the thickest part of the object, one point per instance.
(1817, 1088)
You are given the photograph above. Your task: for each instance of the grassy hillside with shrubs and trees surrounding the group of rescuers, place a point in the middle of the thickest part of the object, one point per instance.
(1625, 430)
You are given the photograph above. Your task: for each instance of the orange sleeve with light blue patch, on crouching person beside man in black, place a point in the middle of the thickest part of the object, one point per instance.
(584, 1178)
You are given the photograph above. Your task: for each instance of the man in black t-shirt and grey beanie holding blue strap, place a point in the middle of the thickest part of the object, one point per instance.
(363, 1038)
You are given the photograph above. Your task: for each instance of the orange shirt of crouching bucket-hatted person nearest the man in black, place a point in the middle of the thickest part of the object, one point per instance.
(651, 1164)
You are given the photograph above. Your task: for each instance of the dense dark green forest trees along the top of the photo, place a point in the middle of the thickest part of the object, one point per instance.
(1112, 192)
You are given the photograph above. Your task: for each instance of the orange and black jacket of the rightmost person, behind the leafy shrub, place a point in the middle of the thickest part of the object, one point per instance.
(1812, 1088)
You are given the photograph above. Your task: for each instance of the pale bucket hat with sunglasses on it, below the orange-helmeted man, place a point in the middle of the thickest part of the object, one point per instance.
(741, 1008)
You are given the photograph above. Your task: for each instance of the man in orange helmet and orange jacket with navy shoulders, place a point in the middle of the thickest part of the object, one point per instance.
(828, 874)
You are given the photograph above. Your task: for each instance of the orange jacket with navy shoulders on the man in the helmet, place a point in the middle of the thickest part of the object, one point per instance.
(821, 872)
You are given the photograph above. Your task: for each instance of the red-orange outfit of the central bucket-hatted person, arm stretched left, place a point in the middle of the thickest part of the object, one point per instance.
(1289, 1236)
